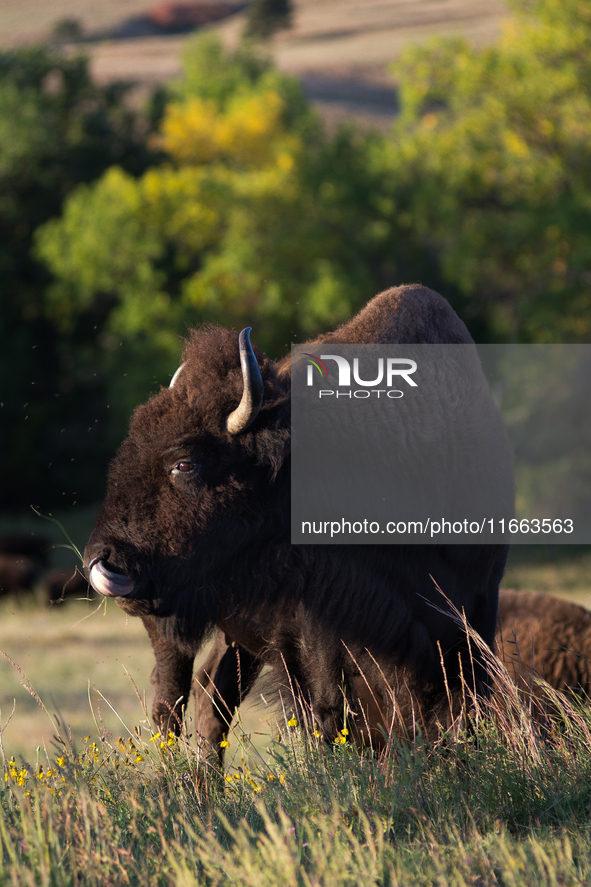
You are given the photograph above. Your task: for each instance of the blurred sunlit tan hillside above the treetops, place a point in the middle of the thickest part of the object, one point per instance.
(340, 48)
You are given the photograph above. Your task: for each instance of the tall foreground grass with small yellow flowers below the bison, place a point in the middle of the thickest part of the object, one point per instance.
(505, 800)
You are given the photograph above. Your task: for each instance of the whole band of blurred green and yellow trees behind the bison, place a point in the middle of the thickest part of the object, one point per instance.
(227, 201)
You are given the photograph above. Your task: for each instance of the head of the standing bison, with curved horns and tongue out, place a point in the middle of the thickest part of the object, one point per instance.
(197, 479)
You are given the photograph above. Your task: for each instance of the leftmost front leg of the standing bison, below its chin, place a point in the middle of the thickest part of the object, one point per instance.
(171, 678)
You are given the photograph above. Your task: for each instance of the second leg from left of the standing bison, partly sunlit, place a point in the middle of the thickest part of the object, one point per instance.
(221, 684)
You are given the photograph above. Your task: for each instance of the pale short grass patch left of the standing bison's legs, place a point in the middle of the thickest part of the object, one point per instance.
(71, 653)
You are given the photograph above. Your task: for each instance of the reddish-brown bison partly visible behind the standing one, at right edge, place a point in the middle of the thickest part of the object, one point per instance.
(546, 636)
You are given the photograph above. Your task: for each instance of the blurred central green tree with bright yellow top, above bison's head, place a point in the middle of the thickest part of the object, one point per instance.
(254, 216)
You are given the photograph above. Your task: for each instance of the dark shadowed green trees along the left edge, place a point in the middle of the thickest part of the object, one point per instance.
(57, 129)
